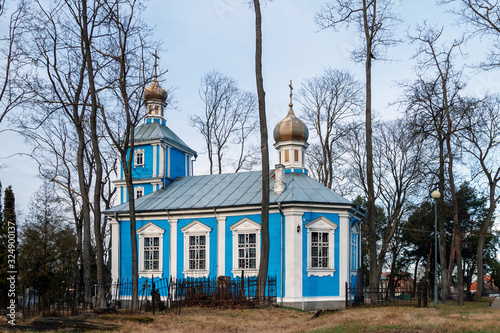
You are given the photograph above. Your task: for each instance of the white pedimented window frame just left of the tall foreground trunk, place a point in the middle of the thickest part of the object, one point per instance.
(245, 226)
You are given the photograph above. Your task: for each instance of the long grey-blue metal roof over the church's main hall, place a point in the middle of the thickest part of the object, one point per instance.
(232, 189)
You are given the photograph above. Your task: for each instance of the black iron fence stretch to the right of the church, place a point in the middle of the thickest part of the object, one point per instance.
(386, 296)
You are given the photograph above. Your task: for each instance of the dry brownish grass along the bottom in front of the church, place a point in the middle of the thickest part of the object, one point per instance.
(474, 317)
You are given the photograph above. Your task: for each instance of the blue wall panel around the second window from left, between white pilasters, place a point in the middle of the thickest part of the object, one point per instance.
(210, 222)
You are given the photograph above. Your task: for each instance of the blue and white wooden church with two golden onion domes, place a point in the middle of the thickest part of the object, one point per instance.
(209, 225)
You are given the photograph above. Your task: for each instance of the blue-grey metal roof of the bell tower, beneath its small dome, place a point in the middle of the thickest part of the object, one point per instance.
(156, 131)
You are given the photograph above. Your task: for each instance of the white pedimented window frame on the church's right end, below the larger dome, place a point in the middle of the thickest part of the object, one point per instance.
(323, 225)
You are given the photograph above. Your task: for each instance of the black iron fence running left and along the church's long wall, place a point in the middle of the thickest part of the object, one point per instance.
(155, 294)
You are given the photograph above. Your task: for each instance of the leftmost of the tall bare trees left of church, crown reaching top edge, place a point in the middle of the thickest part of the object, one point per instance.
(55, 46)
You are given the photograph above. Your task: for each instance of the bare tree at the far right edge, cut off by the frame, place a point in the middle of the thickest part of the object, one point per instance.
(482, 141)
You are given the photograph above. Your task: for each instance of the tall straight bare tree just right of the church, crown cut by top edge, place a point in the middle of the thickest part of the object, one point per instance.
(375, 22)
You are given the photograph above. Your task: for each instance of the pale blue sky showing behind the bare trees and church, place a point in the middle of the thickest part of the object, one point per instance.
(198, 36)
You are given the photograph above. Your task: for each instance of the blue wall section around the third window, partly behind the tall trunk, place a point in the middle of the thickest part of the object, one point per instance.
(274, 245)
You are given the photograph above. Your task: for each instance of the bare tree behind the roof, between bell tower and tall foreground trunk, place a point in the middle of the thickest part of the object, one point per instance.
(229, 118)
